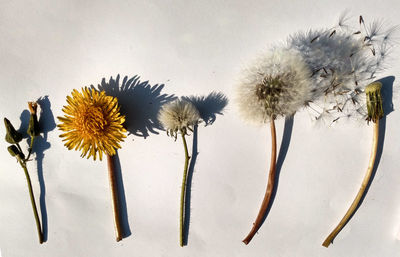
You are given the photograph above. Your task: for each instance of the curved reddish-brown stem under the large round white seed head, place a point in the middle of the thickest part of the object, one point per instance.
(270, 187)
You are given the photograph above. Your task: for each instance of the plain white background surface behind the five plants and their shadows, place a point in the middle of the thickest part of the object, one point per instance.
(193, 47)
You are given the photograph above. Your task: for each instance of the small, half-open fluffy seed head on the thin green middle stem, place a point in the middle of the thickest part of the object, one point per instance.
(178, 116)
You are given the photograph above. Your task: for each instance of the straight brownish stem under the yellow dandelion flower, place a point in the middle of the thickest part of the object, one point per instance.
(114, 197)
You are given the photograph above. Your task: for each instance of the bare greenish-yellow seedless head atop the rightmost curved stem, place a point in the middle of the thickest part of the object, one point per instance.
(374, 101)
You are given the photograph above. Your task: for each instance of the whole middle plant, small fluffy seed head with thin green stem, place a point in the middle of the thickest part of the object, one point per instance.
(178, 117)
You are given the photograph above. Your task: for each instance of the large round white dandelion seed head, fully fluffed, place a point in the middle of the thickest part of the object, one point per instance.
(276, 84)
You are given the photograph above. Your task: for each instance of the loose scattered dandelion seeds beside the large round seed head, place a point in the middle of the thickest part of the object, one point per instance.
(343, 62)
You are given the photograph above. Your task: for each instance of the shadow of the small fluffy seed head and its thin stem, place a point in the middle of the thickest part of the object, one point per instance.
(208, 107)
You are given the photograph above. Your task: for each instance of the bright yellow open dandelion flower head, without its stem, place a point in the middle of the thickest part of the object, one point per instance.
(92, 123)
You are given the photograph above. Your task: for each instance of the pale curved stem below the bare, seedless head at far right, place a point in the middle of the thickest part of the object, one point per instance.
(360, 193)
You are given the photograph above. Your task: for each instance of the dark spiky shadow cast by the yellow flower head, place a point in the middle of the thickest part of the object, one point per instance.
(140, 103)
